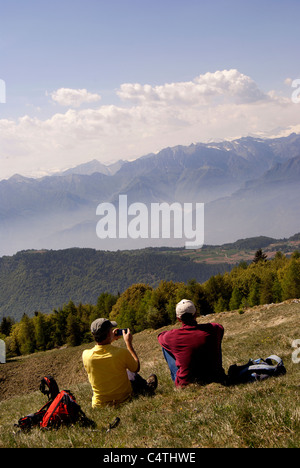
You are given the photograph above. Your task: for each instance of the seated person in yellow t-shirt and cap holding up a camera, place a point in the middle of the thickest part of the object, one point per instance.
(113, 371)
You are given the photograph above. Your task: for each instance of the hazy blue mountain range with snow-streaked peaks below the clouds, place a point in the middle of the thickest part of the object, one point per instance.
(249, 187)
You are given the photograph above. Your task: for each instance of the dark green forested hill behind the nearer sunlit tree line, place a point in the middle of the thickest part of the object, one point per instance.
(33, 281)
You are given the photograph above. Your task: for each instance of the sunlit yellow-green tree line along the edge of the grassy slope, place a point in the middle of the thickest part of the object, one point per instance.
(142, 306)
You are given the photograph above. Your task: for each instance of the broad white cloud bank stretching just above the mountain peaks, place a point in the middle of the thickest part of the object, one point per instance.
(221, 105)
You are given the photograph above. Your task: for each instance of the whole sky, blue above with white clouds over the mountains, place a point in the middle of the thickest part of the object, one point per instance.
(118, 79)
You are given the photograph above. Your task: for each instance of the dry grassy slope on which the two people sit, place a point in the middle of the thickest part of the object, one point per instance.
(264, 414)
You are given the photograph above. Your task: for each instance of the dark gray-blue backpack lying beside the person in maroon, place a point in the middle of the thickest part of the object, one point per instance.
(256, 370)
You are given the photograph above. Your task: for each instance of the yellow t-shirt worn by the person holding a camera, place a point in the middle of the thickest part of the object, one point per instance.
(106, 368)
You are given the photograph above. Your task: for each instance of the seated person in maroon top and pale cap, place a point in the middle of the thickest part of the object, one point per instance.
(193, 352)
